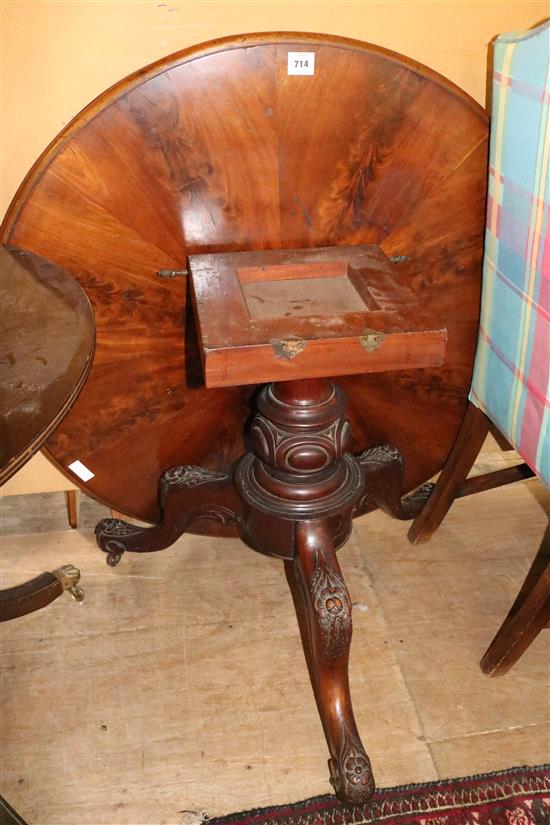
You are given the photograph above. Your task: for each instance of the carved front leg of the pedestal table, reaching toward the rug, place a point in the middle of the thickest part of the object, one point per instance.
(323, 608)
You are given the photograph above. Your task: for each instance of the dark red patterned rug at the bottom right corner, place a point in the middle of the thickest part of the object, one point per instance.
(519, 796)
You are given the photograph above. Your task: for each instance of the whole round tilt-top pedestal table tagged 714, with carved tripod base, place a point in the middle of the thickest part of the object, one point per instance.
(354, 180)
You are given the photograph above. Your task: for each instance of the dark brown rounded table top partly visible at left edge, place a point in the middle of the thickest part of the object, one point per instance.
(46, 350)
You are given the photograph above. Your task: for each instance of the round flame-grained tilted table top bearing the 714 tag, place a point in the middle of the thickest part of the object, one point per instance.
(219, 148)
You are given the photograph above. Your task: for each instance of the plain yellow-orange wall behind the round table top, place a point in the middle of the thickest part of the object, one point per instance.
(59, 54)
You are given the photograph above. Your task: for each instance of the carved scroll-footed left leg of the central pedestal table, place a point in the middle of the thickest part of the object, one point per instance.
(187, 494)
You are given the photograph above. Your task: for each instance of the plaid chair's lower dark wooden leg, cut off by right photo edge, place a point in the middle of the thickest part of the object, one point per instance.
(530, 613)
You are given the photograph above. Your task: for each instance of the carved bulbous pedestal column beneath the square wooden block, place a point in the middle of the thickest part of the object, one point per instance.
(299, 469)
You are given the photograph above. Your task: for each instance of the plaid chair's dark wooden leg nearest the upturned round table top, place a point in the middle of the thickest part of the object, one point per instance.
(469, 441)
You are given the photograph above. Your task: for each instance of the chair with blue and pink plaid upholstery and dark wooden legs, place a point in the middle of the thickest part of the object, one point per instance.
(510, 385)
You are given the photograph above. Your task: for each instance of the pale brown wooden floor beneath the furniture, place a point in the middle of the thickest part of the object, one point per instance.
(179, 685)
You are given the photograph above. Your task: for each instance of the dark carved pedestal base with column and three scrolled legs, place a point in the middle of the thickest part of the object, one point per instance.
(293, 496)
